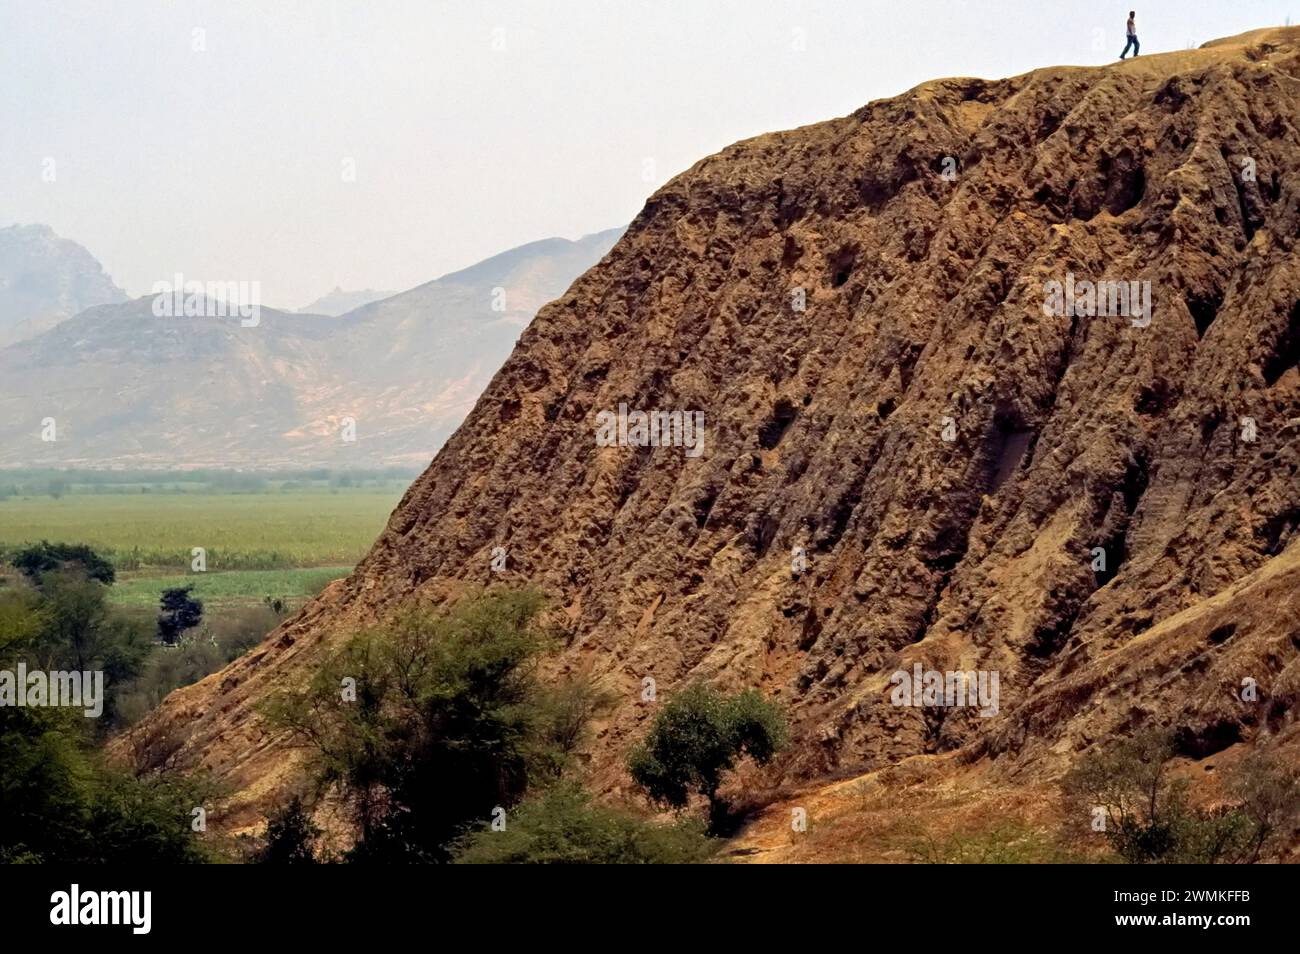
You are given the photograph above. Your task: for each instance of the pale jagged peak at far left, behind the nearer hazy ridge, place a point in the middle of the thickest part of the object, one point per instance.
(45, 280)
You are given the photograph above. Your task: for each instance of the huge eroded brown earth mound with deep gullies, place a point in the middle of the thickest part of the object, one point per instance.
(825, 430)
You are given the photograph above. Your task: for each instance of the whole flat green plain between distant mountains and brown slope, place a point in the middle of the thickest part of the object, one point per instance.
(272, 543)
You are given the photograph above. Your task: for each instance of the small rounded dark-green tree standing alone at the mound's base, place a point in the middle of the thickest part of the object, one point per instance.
(697, 738)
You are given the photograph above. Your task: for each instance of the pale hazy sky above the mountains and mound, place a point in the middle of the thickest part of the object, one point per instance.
(474, 127)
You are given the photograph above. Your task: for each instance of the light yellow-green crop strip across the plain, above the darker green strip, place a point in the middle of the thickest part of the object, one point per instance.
(240, 532)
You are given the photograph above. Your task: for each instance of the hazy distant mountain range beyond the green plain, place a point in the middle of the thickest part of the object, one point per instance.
(129, 389)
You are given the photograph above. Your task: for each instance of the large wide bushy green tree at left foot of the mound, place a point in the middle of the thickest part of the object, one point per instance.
(430, 723)
